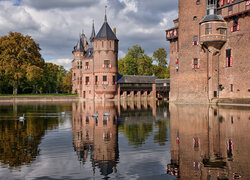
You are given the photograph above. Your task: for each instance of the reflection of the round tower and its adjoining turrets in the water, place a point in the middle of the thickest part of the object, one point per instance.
(96, 136)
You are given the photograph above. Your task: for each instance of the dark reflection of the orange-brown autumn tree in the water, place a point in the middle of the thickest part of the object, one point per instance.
(19, 142)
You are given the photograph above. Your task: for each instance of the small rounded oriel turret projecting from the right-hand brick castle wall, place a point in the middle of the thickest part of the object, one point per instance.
(213, 29)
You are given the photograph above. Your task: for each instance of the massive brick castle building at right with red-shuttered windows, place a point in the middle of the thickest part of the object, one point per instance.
(209, 51)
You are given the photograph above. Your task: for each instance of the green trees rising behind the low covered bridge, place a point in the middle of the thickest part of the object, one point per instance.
(136, 62)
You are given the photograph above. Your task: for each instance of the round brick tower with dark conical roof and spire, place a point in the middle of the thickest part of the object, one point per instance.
(105, 62)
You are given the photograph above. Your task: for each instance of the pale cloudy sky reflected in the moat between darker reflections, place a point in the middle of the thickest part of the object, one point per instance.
(57, 158)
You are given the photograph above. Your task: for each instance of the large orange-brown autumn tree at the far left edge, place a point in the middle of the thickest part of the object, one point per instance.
(17, 54)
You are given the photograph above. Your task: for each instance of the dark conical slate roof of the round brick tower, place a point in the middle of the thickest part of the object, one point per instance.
(106, 32)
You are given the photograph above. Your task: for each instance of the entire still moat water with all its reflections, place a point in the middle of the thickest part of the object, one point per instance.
(125, 140)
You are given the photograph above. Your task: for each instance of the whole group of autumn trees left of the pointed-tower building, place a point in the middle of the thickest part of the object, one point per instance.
(23, 70)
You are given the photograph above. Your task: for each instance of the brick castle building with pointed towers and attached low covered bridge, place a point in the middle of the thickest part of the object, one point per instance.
(95, 70)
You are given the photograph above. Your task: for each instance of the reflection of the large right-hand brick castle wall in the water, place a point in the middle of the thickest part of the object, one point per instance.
(209, 142)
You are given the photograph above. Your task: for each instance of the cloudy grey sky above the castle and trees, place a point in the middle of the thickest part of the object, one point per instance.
(56, 24)
